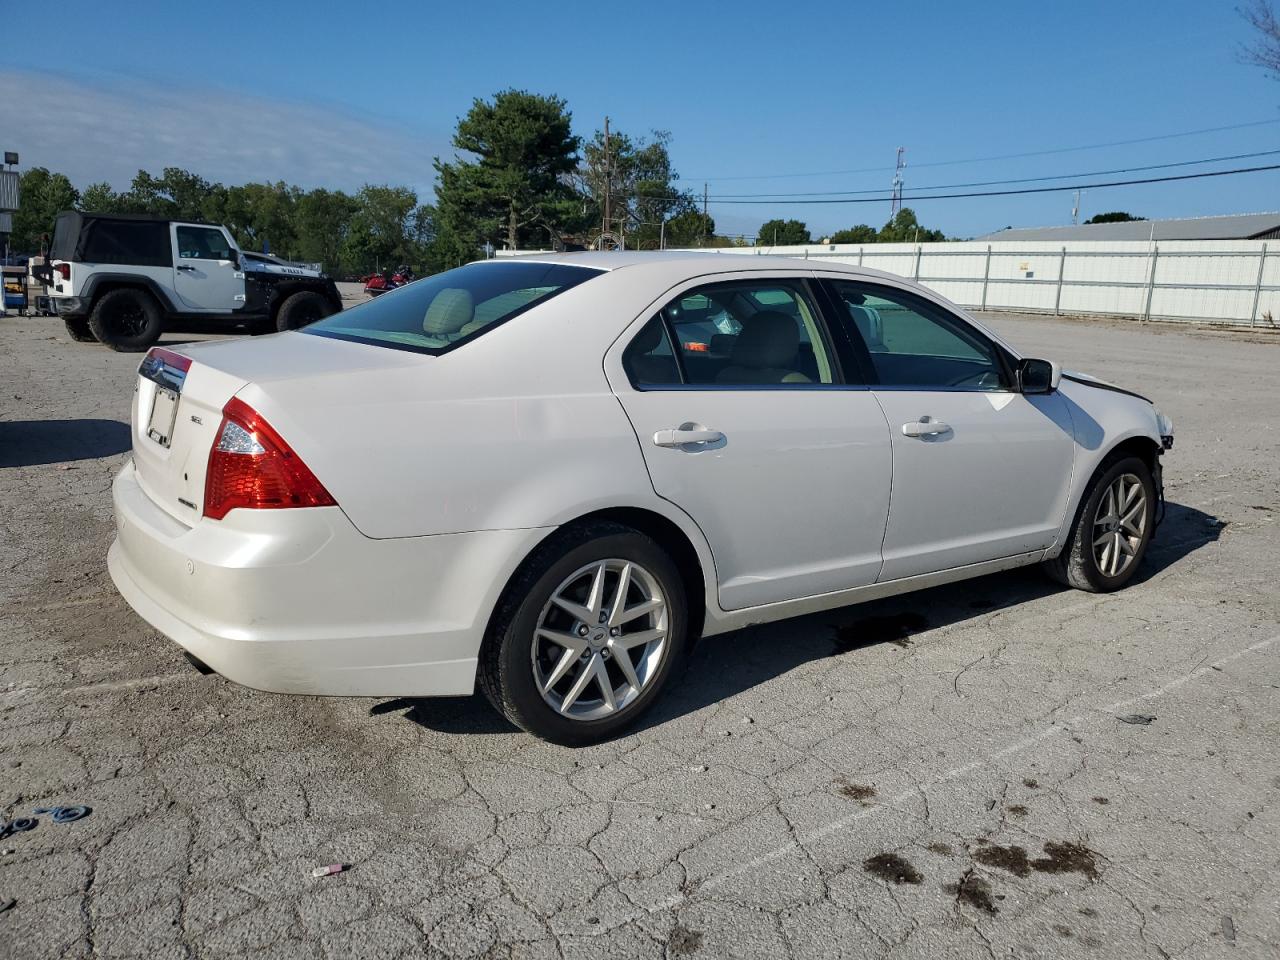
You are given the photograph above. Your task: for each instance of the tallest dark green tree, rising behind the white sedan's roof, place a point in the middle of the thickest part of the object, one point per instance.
(518, 186)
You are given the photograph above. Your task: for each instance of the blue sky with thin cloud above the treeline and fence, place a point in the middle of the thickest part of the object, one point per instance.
(327, 94)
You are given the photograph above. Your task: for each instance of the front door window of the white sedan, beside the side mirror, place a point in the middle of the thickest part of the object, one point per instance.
(916, 344)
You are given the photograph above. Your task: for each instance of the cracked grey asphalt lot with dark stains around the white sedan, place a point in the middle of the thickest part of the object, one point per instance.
(938, 775)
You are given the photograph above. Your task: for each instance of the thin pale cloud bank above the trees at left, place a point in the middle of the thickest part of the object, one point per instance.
(108, 130)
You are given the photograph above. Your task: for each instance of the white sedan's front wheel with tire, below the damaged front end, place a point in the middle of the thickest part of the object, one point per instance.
(1113, 529)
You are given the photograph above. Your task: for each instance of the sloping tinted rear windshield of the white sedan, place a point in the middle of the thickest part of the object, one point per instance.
(437, 314)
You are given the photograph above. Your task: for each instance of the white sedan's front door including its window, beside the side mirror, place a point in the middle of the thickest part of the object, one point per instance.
(981, 472)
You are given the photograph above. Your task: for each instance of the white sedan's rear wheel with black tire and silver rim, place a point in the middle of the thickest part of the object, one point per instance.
(587, 636)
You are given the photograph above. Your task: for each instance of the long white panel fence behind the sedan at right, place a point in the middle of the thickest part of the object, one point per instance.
(1224, 282)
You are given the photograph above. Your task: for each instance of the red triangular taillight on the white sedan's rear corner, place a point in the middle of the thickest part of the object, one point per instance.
(252, 467)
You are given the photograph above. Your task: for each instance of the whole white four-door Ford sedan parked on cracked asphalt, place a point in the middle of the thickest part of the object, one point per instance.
(555, 474)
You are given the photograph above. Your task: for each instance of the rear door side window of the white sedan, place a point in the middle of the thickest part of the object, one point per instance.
(749, 333)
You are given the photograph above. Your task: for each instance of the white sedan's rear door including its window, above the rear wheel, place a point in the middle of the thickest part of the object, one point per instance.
(749, 426)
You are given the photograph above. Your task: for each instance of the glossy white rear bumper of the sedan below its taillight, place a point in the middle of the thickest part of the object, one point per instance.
(300, 602)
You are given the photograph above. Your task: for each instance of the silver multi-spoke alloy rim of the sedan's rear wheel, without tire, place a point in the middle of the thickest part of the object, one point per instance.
(601, 639)
